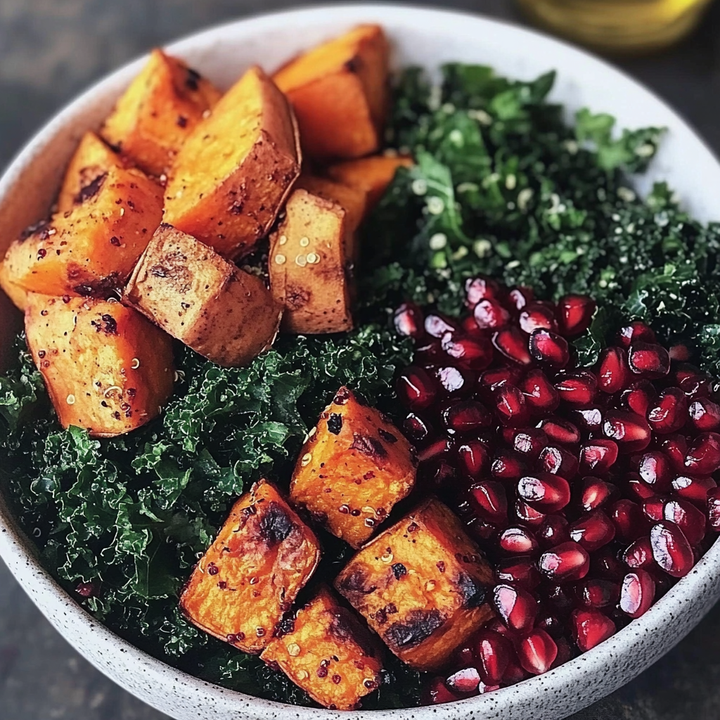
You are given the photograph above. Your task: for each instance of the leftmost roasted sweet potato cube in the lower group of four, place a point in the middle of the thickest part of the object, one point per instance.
(261, 559)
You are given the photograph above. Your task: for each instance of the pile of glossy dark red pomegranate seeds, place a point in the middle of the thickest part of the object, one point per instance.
(590, 490)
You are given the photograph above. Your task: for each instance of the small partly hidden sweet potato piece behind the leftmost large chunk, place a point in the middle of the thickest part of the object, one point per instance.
(92, 159)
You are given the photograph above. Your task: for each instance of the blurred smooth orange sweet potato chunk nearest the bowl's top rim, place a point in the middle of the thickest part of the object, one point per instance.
(339, 91)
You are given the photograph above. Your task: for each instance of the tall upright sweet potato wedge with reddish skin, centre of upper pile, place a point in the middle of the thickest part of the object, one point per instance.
(233, 174)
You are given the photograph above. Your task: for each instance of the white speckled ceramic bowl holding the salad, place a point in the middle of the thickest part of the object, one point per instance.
(419, 36)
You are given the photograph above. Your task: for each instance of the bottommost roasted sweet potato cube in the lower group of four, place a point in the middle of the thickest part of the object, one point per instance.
(326, 651)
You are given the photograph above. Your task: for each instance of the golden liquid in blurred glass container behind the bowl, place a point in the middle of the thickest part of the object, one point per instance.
(618, 25)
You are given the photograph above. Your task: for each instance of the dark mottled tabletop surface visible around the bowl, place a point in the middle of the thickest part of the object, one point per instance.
(50, 50)
